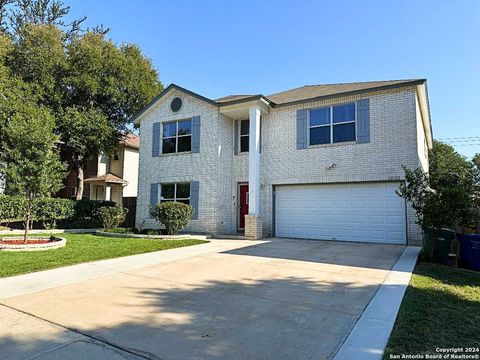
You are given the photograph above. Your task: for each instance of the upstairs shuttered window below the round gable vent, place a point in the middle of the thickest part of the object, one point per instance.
(177, 136)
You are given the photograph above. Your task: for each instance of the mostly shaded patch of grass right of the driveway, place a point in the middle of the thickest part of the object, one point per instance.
(441, 308)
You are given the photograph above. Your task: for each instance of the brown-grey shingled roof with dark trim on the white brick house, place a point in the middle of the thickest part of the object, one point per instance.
(294, 96)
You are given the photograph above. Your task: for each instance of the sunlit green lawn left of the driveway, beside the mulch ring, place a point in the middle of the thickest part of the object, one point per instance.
(82, 248)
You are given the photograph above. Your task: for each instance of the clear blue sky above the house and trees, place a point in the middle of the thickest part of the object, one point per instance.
(218, 48)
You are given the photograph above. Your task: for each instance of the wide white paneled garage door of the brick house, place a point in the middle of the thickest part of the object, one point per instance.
(368, 212)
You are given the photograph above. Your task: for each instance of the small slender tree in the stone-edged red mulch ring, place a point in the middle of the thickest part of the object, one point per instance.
(33, 166)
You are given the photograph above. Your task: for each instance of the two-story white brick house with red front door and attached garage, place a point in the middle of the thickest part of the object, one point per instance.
(315, 162)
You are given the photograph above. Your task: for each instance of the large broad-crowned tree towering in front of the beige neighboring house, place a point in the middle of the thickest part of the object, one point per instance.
(89, 83)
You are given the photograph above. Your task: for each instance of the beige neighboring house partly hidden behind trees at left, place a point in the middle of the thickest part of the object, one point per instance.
(116, 176)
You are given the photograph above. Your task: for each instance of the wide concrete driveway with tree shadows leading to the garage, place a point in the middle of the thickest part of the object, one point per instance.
(230, 299)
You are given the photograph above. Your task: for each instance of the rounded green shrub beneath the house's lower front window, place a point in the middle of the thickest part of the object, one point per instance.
(173, 215)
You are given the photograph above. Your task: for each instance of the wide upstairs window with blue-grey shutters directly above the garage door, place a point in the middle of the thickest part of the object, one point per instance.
(332, 124)
